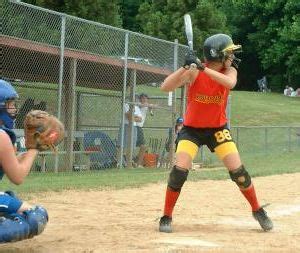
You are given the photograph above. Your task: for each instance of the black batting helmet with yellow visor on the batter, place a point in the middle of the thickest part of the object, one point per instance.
(220, 47)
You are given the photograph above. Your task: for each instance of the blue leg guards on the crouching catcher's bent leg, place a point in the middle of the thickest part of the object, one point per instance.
(17, 227)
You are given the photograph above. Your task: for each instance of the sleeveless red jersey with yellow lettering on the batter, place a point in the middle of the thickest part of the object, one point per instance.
(206, 103)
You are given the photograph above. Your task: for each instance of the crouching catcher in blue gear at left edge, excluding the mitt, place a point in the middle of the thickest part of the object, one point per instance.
(18, 219)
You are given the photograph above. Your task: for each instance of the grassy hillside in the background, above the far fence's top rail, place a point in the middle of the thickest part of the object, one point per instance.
(247, 108)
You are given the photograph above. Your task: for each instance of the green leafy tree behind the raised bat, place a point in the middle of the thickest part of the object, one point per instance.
(164, 19)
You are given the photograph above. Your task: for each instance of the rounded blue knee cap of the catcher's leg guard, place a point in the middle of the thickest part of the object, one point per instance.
(37, 219)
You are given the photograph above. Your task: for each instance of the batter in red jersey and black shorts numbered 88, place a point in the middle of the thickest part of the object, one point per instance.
(205, 123)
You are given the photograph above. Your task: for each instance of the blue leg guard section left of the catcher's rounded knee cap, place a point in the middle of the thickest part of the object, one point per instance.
(13, 228)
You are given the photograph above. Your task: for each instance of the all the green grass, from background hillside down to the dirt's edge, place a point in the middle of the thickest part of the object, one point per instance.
(247, 109)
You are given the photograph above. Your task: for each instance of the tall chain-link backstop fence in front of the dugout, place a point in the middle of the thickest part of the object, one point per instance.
(84, 72)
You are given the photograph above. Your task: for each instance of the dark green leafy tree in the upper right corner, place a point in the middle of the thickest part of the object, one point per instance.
(273, 36)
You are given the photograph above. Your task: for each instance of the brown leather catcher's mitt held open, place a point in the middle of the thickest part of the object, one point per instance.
(42, 130)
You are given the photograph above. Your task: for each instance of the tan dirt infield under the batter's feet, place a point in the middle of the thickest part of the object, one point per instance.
(210, 216)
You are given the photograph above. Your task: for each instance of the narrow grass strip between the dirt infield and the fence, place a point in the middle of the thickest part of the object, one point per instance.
(257, 165)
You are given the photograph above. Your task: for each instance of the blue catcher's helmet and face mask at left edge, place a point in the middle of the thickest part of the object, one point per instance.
(8, 97)
